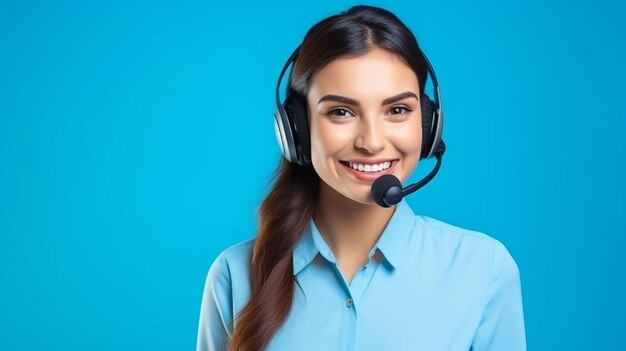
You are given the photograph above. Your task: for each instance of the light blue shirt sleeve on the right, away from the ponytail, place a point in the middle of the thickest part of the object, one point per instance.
(502, 323)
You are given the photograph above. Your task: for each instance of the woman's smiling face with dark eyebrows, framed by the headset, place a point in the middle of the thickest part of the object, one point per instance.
(365, 121)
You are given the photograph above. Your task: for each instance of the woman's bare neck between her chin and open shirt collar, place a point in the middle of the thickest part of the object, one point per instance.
(350, 228)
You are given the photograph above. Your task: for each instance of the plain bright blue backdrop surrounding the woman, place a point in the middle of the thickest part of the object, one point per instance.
(136, 143)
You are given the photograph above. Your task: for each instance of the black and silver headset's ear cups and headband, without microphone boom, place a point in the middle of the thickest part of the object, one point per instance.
(292, 127)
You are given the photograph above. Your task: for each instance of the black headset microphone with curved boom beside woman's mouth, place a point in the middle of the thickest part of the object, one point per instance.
(387, 189)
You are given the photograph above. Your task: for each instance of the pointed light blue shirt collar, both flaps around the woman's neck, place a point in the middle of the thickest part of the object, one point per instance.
(391, 243)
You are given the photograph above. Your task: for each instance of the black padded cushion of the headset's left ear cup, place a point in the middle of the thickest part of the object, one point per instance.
(297, 112)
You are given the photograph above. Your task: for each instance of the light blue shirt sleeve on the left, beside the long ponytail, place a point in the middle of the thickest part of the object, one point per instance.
(216, 308)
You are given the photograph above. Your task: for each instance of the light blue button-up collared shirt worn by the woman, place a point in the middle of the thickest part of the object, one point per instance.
(427, 285)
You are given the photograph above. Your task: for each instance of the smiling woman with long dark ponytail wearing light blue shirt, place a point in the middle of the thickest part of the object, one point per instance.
(332, 270)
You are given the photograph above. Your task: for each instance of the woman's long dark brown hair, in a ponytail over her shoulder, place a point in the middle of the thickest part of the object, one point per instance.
(290, 203)
